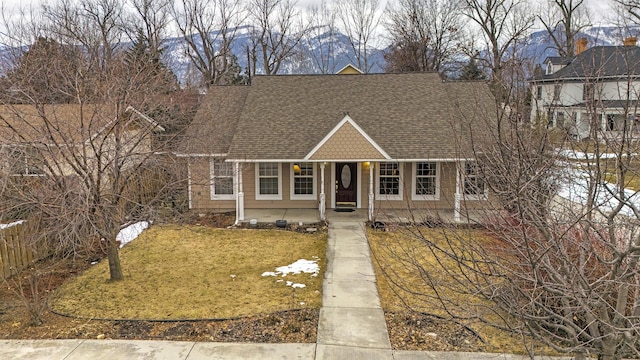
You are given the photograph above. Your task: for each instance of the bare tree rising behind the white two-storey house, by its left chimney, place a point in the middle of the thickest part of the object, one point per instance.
(563, 21)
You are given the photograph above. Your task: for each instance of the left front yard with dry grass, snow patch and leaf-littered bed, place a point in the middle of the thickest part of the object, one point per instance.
(180, 273)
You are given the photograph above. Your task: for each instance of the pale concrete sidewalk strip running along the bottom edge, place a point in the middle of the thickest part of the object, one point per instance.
(182, 350)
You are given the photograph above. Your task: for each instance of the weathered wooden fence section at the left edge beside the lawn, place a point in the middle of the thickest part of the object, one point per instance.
(16, 252)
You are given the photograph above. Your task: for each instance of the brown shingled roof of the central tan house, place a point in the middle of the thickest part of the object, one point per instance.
(410, 116)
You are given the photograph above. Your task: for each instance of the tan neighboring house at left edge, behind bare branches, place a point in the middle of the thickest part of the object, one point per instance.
(52, 139)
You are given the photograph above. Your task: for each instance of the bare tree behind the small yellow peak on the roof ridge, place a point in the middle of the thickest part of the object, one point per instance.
(359, 19)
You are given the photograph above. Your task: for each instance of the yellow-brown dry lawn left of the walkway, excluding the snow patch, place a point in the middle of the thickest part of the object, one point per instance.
(195, 272)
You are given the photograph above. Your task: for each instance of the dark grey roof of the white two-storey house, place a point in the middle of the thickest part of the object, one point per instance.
(599, 62)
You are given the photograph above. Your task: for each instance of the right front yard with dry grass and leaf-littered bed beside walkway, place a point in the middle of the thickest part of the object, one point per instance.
(415, 314)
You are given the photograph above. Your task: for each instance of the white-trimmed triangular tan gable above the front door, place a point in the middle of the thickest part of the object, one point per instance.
(347, 141)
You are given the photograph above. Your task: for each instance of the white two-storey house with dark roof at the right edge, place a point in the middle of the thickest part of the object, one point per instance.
(596, 90)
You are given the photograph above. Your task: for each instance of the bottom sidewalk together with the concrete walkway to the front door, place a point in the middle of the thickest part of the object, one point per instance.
(351, 324)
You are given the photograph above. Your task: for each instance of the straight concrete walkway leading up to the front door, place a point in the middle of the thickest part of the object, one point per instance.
(352, 324)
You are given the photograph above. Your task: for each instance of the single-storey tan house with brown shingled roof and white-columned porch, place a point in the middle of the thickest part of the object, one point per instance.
(370, 141)
